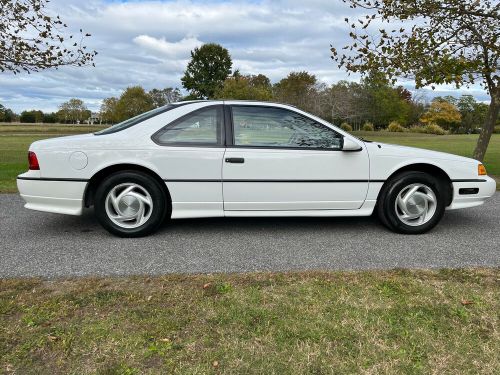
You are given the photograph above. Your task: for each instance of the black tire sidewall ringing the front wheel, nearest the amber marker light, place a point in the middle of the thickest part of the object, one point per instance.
(399, 184)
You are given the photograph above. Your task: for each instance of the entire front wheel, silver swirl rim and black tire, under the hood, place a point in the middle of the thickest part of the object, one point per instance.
(411, 203)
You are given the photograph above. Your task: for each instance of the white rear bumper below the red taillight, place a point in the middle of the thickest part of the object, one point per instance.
(61, 197)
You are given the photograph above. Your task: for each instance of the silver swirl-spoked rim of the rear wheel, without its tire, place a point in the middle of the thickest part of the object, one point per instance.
(128, 205)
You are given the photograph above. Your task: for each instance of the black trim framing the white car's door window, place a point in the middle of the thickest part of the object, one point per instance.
(230, 134)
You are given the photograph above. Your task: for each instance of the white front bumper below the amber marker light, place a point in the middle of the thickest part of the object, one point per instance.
(486, 187)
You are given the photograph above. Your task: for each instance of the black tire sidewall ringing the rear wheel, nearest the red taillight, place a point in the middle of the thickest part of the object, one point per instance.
(146, 182)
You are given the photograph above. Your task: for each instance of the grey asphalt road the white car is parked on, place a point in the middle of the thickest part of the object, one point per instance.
(48, 245)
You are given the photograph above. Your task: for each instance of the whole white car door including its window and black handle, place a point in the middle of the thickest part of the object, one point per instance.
(281, 160)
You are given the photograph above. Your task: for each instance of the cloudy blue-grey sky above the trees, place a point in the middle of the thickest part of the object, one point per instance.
(148, 43)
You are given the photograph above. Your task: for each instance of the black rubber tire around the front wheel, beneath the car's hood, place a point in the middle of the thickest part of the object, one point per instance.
(386, 205)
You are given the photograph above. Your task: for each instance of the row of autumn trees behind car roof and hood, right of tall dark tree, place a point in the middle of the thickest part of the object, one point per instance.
(374, 100)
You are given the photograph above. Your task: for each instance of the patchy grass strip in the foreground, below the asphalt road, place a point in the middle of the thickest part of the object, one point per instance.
(418, 322)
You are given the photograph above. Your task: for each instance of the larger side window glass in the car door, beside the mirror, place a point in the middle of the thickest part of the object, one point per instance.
(276, 127)
